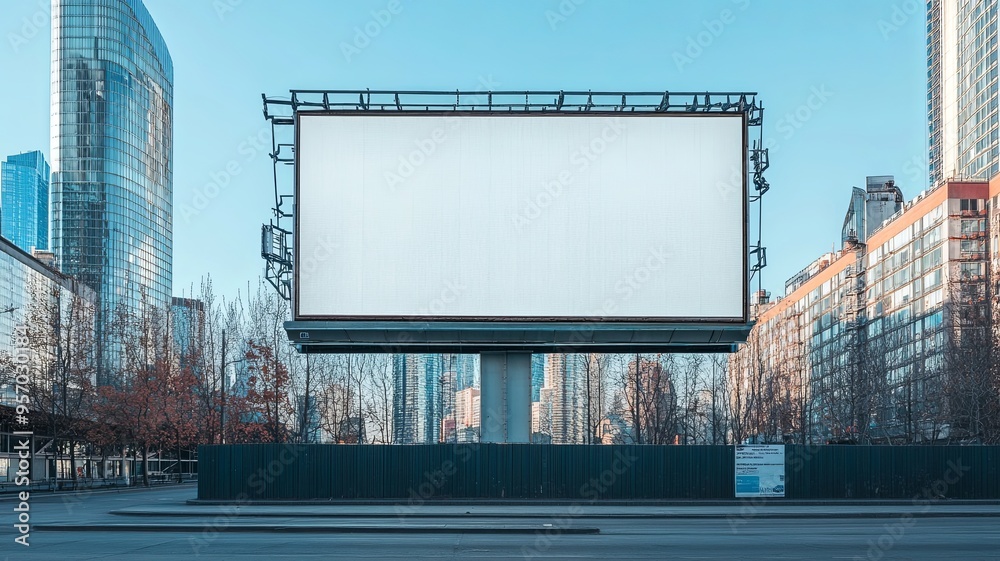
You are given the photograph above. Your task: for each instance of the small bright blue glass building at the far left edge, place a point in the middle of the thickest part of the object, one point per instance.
(24, 200)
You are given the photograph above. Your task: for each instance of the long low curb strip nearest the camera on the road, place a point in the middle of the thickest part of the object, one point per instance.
(311, 529)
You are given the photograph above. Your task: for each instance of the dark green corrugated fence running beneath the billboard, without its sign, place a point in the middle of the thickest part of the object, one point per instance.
(584, 473)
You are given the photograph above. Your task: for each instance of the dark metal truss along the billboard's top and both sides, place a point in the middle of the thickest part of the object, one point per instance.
(276, 236)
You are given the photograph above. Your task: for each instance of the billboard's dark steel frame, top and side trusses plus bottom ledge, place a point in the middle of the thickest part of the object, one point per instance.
(277, 245)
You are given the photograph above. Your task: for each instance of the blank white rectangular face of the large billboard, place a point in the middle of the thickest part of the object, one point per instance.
(569, 216)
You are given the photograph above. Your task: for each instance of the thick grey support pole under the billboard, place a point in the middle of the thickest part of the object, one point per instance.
(505, 398)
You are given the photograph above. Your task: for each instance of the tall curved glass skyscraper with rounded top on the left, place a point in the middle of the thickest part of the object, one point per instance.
(112, 153)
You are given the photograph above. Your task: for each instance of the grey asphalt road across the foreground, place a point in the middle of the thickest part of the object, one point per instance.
(737, 536)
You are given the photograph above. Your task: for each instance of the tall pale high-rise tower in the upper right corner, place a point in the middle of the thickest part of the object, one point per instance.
(962, 95)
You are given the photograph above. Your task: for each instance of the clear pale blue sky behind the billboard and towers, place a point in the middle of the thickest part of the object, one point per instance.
(867, 55)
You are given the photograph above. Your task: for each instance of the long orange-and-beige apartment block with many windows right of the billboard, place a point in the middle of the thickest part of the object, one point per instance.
(869, 346)
